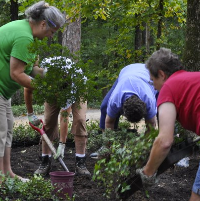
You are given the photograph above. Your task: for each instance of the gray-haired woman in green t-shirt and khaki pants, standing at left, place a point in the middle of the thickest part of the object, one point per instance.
(41, 21)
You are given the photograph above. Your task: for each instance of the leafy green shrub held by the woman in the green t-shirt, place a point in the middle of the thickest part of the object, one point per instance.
(62, 84)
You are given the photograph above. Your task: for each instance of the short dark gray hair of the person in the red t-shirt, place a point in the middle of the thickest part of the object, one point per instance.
(164, 60)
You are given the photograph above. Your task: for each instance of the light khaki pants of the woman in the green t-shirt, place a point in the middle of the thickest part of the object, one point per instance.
(6, 124)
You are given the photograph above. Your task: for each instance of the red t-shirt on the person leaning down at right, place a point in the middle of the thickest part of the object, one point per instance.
(183, 90)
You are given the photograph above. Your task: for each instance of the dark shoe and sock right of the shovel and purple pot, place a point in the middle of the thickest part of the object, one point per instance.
(81, 167)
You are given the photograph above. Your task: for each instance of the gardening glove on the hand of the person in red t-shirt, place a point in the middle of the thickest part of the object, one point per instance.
(147, 181)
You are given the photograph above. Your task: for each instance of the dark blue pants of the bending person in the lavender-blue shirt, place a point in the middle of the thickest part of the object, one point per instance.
(104, 108)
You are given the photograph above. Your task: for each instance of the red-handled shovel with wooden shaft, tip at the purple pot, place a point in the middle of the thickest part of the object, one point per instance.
(49, 143)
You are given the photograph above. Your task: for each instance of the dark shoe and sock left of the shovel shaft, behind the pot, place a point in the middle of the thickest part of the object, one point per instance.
(45, 166)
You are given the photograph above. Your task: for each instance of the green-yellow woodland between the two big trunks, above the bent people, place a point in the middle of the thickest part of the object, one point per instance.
(129, 32)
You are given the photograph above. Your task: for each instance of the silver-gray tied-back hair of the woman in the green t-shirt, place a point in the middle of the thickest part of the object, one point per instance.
(42, 11)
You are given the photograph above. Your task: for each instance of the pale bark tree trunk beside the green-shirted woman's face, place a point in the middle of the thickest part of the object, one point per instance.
(72, 36)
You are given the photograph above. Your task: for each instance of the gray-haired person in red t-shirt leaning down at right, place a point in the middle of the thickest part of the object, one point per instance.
(179, 99)
